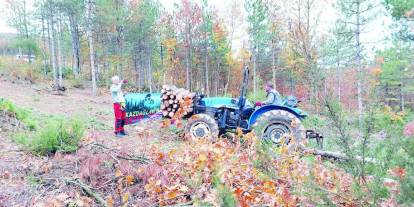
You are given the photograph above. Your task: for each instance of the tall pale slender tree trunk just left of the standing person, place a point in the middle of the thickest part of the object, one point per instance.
(89, 15)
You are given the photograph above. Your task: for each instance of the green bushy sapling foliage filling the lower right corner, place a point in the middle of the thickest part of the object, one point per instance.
(380, 143)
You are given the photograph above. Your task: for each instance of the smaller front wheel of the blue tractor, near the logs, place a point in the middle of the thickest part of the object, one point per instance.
(202, 126)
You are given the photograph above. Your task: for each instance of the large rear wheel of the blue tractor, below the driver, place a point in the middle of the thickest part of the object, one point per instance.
(280, 127)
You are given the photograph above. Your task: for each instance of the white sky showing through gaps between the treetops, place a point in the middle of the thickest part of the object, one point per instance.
(377, 30)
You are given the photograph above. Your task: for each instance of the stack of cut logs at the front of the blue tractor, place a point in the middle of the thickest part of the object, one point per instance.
(176, 102)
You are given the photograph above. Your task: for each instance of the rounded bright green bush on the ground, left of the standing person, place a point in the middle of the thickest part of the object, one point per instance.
(55, 136)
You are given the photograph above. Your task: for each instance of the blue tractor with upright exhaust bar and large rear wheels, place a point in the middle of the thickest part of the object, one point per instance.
(216, 115)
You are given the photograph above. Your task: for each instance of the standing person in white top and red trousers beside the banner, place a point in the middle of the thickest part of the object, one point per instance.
(119, 105)
